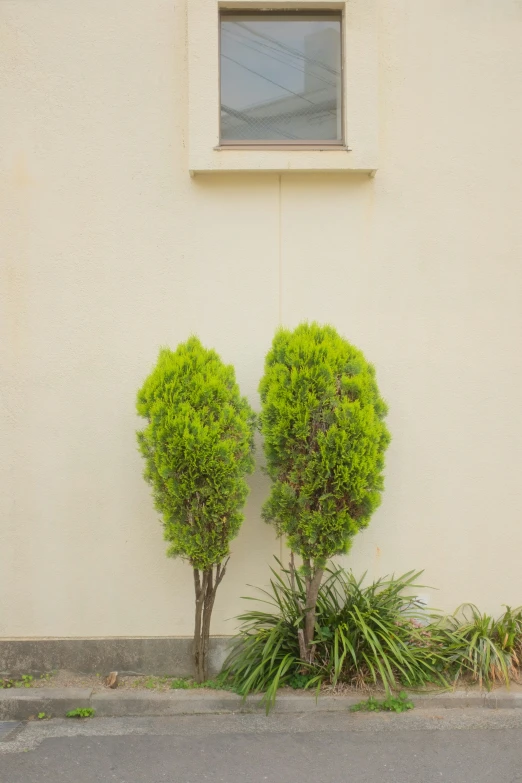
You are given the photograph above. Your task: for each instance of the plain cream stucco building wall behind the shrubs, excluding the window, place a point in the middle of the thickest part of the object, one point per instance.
(110, 249)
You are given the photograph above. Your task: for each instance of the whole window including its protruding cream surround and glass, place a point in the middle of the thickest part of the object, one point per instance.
(322, 113)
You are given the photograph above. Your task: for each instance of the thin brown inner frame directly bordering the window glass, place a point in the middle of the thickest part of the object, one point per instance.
(291, 12)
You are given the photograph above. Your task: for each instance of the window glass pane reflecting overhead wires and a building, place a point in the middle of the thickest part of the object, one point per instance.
(280, 78)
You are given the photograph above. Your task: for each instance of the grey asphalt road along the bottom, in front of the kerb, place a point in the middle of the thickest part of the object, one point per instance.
(454, 746)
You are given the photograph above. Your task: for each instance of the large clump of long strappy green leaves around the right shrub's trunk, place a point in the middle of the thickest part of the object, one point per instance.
(376, 634)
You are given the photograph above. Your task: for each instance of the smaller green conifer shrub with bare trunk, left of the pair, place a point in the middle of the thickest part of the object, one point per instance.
(198, 447)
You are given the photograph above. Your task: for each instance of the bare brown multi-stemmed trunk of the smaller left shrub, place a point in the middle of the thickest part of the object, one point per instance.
(206, 584)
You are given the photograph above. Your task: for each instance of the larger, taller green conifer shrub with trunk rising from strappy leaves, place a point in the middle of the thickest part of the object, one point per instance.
(324, 438)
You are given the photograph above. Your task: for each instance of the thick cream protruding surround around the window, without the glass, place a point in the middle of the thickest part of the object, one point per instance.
(360, 153)
